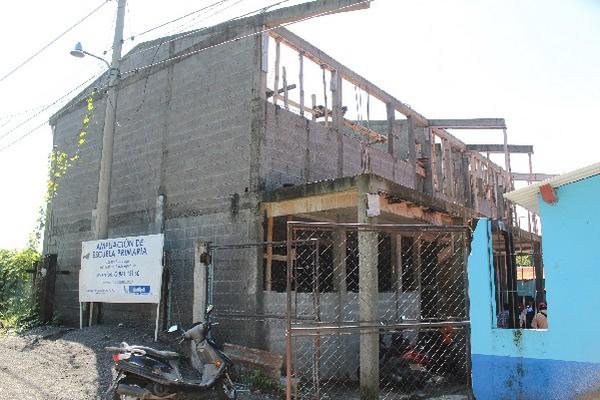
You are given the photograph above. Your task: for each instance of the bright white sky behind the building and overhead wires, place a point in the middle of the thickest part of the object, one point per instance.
(535, 63)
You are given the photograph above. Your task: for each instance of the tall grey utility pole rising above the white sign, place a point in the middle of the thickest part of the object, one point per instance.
(108, 135)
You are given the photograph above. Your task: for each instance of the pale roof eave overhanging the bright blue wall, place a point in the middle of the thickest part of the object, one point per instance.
(527, 196)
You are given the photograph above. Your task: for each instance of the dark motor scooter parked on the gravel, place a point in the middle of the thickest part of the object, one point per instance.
(147, 373)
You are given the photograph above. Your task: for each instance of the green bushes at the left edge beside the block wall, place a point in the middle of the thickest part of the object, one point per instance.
(15, 286)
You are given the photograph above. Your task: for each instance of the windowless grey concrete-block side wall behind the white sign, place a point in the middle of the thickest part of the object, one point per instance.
(183, 130)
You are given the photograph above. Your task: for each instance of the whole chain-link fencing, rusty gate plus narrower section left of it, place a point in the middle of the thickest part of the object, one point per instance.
(355, 311)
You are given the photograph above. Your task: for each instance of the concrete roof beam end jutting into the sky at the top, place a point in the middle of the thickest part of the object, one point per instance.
(312, 9)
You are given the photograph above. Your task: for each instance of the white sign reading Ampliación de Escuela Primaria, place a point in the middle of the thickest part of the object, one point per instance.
(121, 270)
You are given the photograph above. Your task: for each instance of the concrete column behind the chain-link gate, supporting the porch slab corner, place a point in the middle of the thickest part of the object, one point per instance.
(368, 299)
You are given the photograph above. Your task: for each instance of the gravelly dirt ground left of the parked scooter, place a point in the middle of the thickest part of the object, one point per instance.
(57, 363)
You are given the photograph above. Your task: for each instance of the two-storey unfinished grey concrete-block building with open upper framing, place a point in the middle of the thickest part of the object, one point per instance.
(225, 134)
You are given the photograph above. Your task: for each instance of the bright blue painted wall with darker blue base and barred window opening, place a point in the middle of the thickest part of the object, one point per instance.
(564, 361)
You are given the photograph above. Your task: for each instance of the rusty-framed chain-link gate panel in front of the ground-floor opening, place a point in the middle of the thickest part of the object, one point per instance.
(376, 311)
